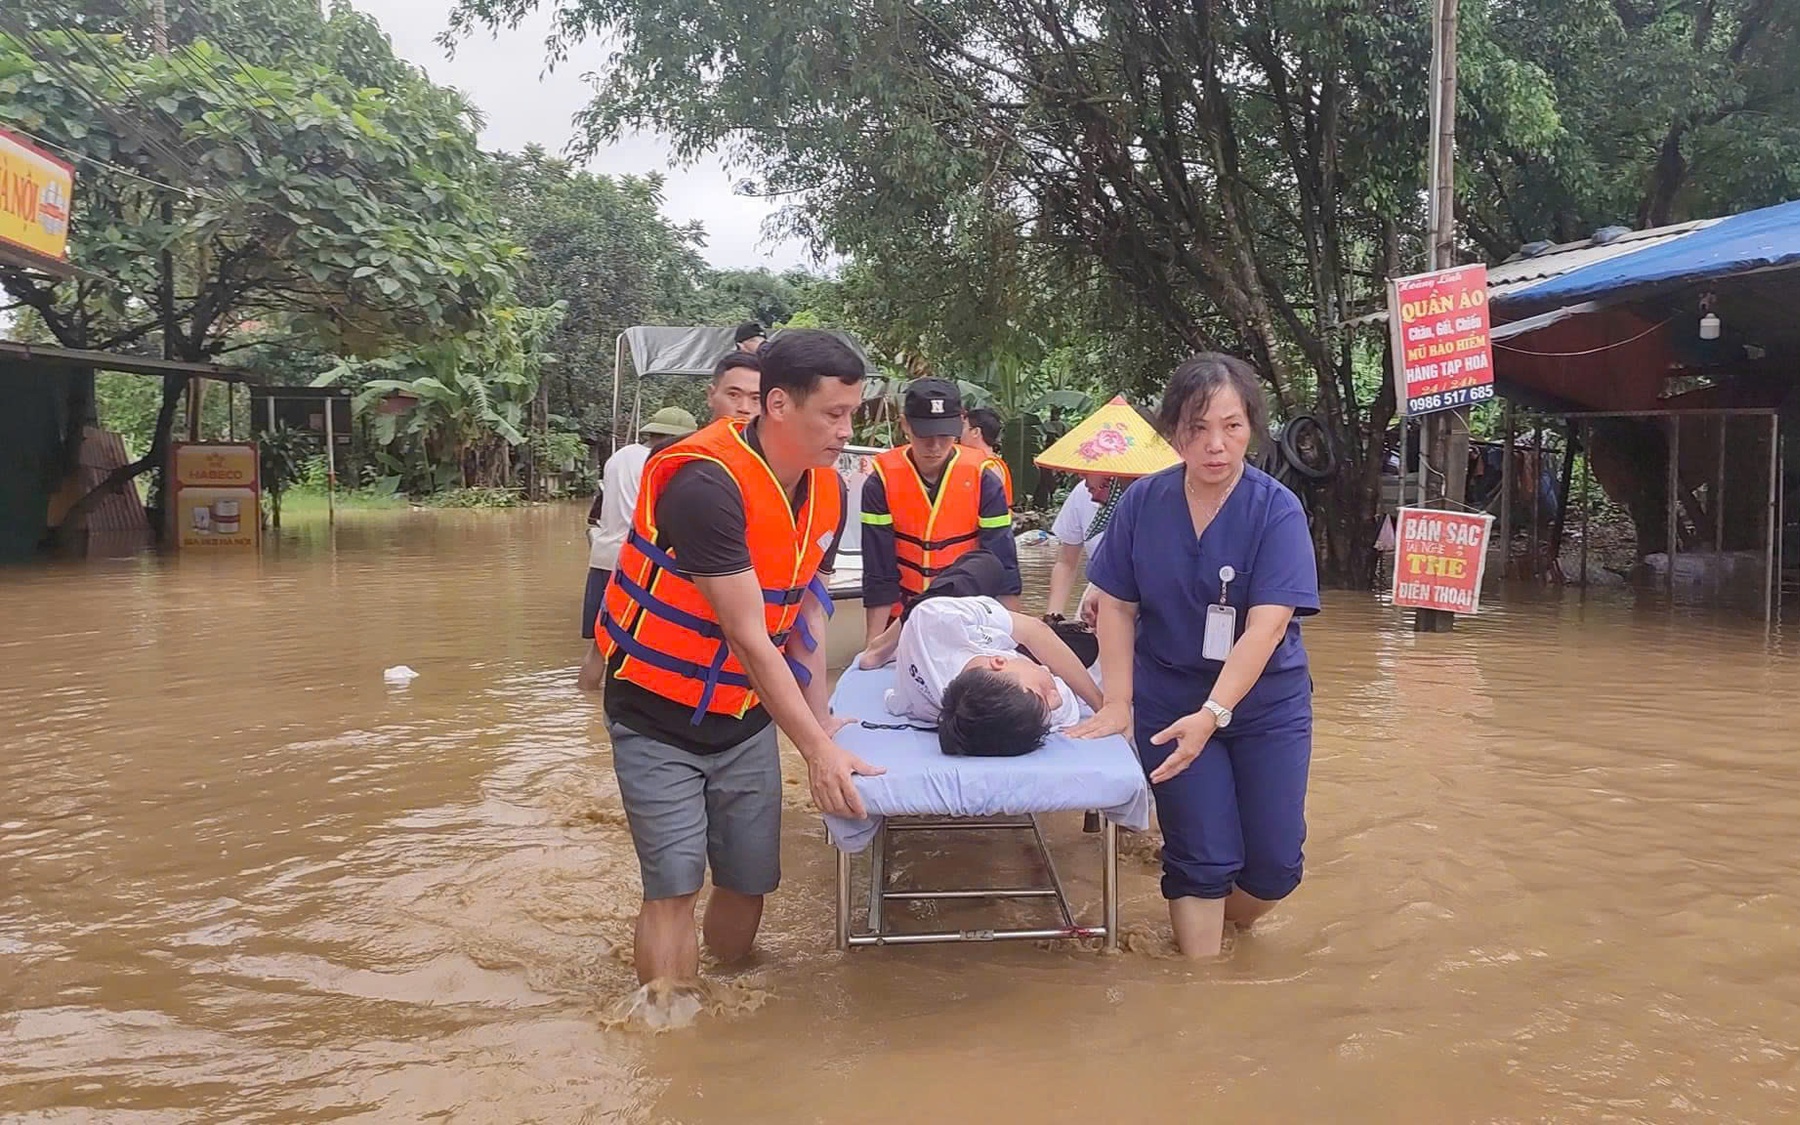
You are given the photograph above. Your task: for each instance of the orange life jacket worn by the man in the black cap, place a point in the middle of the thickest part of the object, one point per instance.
(930, 535)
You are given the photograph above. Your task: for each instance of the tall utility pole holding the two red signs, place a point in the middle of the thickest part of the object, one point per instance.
(1444, 471)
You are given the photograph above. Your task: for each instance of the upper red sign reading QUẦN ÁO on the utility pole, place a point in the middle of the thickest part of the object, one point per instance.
(1441, 346)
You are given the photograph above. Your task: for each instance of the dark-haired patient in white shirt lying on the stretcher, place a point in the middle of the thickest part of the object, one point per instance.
(958, 665)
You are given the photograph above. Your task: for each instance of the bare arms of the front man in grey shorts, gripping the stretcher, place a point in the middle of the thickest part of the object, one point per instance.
(802, 714)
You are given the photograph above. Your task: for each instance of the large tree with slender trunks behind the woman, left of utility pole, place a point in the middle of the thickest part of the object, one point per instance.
(1236, 172)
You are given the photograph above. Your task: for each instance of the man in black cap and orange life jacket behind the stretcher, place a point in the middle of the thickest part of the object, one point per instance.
(928, 505)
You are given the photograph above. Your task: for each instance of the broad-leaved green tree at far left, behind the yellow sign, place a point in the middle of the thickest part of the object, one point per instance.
(219, 195)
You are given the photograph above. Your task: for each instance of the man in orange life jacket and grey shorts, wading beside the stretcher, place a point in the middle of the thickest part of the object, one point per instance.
(714, 624)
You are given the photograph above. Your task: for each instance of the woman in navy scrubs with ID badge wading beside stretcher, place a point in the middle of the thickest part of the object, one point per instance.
(1203, 573)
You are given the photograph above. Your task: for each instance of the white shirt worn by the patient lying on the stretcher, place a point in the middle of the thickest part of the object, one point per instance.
(939, 638)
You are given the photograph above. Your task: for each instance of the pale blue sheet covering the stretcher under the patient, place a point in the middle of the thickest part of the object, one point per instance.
(922, 780)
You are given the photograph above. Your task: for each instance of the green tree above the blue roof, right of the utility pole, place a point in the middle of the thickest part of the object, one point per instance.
(1657, 112)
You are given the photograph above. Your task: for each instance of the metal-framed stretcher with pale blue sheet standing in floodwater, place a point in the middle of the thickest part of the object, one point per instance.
(928, 791)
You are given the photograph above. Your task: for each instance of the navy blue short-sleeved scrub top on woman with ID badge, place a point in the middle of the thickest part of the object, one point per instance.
(1151, 557)
